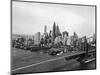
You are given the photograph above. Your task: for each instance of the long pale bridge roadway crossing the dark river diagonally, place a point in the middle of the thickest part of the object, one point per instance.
(57, 57)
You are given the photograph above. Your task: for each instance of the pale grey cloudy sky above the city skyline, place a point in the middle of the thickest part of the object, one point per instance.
(30, 18)
